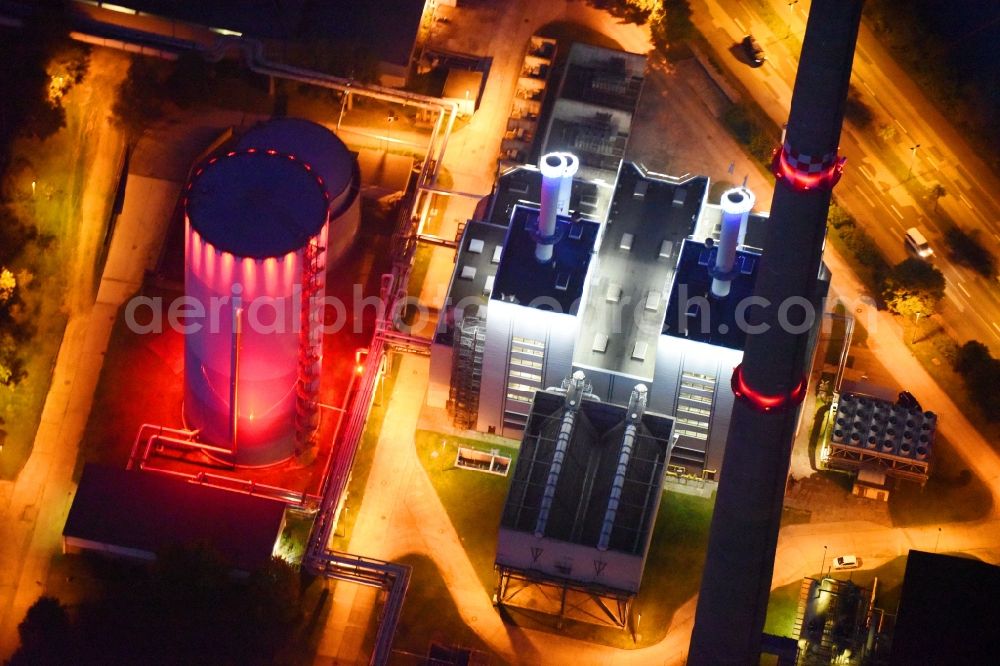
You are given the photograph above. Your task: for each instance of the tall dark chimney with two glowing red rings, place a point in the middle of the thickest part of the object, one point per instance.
(771, 382)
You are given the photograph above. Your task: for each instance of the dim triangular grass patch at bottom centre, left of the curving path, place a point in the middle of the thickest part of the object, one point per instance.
(430, 615)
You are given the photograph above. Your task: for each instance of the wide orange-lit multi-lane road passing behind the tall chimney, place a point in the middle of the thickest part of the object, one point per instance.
(886, 184)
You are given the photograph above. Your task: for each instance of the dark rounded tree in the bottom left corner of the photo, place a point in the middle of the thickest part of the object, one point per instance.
(46, 635)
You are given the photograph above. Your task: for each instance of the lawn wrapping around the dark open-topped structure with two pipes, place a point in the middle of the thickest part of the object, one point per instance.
(474, 501)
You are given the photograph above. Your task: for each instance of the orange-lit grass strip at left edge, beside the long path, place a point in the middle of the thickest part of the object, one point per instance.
(65, 261)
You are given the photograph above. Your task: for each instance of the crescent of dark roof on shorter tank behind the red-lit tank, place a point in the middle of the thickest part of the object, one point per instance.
(310, 142)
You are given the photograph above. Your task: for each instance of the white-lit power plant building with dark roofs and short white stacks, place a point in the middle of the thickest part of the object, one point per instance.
(644, 286)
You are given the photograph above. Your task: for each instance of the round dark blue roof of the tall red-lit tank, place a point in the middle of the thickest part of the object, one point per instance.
(257, 203)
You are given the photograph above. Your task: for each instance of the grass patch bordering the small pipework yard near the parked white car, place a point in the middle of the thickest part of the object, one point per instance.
(783, 603)
